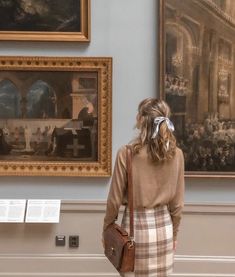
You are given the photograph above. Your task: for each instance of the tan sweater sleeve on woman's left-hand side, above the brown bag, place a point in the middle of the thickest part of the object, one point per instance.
(117, 188)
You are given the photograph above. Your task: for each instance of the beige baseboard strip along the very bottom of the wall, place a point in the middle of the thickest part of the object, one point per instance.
(77, 265)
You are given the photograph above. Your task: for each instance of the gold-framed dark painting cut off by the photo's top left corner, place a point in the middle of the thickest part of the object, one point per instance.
(45, 20)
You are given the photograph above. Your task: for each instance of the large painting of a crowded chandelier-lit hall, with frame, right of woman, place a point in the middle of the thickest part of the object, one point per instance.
(197, 79)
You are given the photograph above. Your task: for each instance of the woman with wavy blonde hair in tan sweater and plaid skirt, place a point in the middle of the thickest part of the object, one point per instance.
(158, 181)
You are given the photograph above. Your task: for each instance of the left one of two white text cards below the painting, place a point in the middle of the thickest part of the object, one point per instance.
(12, 210)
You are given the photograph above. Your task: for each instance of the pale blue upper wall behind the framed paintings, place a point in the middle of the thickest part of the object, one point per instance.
(127, 31)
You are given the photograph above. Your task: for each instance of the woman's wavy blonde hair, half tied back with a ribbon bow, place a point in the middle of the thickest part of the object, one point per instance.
(163, 146)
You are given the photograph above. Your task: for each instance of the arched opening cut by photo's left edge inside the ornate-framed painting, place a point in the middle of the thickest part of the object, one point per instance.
(9, 100)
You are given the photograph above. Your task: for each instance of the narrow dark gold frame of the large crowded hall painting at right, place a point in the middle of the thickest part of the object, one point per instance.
(161, 75)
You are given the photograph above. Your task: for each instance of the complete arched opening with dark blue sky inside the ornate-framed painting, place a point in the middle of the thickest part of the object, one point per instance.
(41, 101)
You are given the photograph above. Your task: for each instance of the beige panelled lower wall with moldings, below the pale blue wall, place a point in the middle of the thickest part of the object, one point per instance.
(65, 262)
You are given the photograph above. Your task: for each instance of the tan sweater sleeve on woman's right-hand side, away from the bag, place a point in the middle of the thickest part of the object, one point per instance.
(177, 202)
